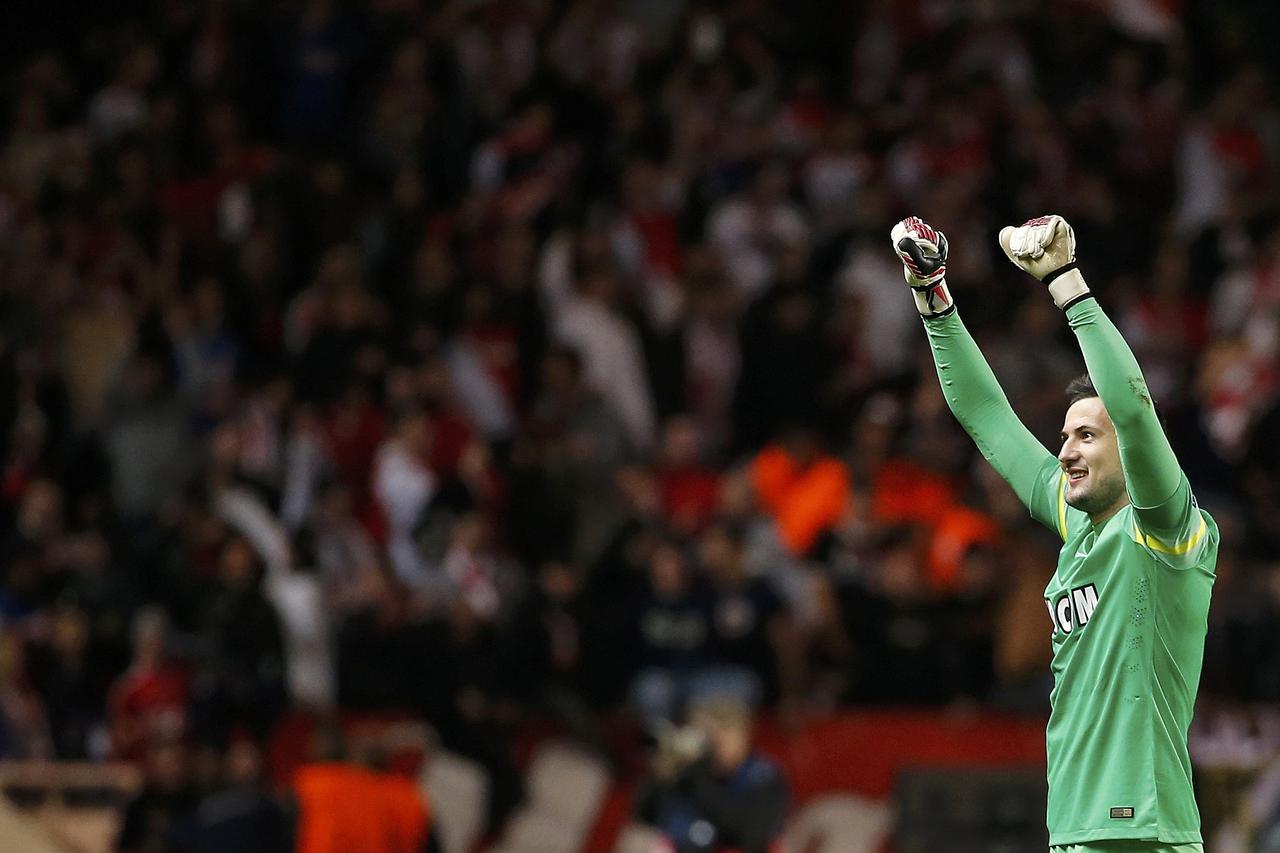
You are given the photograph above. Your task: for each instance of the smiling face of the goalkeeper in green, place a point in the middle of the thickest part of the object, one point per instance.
(1091, 459)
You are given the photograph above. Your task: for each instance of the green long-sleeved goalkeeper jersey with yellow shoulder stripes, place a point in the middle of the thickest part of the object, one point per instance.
(1128, 601)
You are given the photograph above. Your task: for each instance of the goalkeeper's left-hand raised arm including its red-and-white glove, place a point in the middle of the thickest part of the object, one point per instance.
(971, 387)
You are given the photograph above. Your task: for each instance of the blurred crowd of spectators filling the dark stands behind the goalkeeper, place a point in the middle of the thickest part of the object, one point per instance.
(532, 359)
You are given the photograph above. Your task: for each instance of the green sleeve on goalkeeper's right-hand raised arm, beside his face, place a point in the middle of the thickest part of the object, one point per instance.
(1151, 468)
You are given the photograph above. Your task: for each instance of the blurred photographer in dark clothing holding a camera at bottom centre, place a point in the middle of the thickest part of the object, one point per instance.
(711, 792)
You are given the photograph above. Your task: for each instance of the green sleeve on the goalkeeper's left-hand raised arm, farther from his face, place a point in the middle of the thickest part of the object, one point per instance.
(981, 407)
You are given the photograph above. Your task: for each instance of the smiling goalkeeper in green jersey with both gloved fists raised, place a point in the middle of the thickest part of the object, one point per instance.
(1130, 600)
